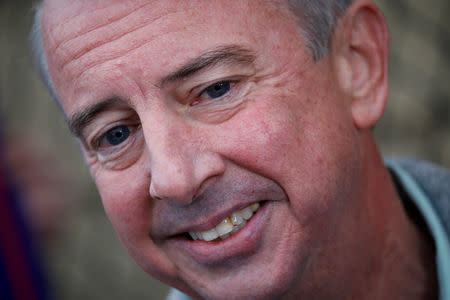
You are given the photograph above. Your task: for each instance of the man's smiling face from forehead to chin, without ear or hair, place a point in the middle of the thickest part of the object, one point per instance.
(189, 111)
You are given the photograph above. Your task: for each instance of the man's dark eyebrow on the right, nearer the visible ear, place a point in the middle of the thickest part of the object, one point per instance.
(228, 55)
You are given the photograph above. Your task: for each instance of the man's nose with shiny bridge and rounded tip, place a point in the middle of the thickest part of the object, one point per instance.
(180, 164)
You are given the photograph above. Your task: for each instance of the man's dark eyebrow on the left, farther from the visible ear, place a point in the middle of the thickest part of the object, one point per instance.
(83, 118)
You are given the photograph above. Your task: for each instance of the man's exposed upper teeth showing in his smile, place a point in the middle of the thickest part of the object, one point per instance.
(229, 226)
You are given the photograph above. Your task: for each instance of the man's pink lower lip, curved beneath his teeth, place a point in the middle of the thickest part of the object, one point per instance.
(243, 242)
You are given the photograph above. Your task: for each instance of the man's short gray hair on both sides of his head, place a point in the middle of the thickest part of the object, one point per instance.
(317, 19)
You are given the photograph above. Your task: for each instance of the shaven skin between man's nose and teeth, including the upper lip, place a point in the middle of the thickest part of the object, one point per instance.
(169, 219)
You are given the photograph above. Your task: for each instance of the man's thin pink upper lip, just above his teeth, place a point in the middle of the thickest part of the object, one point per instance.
(207, 222)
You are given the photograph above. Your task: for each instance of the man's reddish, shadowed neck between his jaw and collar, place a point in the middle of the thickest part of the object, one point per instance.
(407, 266)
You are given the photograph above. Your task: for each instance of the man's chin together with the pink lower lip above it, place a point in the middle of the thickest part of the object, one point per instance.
(262, 261)
